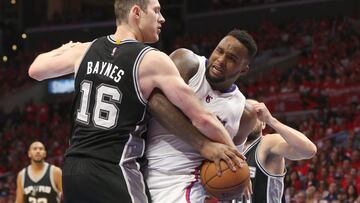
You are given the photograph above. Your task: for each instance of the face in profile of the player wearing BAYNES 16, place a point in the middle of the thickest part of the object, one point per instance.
(151, 21)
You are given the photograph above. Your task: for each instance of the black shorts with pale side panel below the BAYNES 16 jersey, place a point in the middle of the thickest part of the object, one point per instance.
(87, 180)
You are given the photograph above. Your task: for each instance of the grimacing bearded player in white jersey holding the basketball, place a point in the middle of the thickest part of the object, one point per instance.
(172, 173)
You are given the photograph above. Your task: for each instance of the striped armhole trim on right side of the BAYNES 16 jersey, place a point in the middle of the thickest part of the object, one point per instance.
(138, 59)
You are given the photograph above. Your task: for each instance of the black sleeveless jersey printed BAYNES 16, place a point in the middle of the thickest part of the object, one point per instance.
(108, 107)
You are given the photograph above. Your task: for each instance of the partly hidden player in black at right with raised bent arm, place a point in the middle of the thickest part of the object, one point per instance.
(266, 154)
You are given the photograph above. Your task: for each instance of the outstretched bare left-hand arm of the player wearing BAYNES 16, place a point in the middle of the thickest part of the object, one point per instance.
(58, 62)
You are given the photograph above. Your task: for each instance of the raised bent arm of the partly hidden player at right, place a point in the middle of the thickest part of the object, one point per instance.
(289, 142)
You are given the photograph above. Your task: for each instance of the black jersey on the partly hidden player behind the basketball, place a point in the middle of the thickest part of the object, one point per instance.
(267, 188)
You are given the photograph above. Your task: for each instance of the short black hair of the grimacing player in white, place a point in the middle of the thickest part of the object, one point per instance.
(246, 39)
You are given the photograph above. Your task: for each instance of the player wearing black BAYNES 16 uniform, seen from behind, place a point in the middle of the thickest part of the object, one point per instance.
(114, 78)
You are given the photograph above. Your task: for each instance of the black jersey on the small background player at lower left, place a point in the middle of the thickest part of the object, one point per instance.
(42, 190)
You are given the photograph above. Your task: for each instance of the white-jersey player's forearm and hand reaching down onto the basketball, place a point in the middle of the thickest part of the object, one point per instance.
(176, 122)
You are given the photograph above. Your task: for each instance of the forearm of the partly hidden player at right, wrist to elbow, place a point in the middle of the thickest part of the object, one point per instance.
(297, 140)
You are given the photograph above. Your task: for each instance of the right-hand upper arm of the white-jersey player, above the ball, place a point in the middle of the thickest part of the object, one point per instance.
(247, 124)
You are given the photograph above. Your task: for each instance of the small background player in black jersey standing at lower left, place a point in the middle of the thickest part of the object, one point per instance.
(40, 182)
